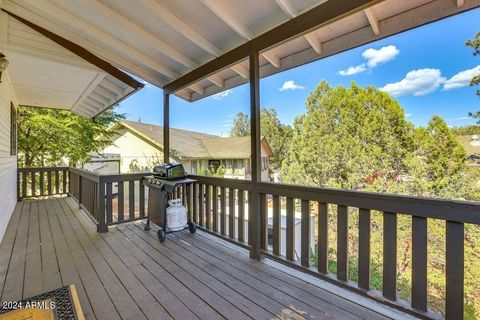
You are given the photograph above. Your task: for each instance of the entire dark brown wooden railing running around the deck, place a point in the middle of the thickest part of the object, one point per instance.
(222, 208)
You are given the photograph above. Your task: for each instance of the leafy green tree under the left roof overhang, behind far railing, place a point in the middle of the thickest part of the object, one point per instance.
(47, 136)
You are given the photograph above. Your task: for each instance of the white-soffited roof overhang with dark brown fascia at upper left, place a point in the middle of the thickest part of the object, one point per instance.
(49, 71)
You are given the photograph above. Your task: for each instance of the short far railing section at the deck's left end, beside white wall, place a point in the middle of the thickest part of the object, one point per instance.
(37, 182)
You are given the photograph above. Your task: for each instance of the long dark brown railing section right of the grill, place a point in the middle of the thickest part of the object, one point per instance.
(214, 200)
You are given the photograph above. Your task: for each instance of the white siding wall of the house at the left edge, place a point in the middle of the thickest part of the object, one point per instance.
(8, 163)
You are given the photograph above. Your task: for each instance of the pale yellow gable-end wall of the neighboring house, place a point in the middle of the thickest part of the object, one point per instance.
(135, 153)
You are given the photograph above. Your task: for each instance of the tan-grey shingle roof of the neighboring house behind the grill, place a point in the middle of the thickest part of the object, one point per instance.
(191, 144)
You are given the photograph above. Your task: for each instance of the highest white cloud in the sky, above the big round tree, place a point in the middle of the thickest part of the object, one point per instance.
(373, 58)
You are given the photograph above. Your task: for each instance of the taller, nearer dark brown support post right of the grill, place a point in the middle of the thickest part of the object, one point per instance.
(255, 215)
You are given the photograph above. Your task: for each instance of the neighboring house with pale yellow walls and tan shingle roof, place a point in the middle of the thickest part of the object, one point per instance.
(140, 146)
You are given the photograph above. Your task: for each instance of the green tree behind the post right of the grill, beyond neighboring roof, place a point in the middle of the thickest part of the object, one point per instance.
(277, 134)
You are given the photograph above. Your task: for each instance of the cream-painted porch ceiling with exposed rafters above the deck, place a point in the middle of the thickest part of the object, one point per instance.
(163, 41)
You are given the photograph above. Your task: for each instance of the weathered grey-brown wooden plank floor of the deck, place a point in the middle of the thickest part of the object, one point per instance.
(127, 274)
